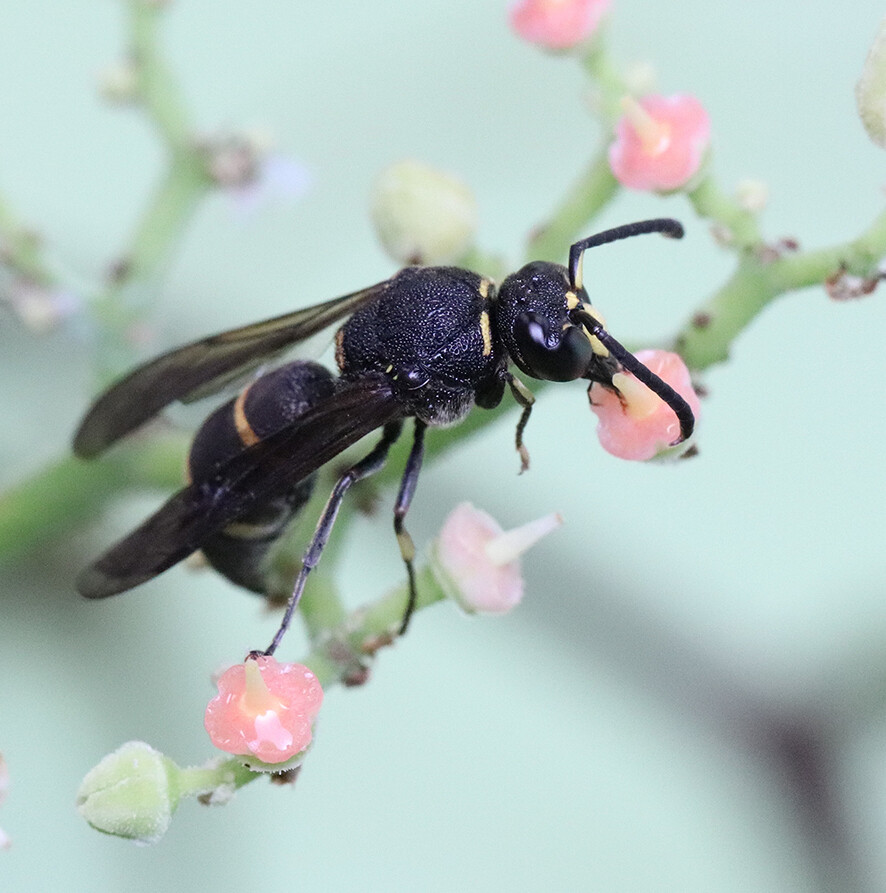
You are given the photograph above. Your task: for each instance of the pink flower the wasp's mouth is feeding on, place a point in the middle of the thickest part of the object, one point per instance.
(641, 425)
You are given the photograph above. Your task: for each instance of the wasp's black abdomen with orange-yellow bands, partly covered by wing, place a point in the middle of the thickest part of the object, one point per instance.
(266, 406)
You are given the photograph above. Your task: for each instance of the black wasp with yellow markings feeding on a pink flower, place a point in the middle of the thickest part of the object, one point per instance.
(426, 344)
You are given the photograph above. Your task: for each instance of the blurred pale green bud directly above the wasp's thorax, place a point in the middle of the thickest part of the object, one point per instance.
(422, 215)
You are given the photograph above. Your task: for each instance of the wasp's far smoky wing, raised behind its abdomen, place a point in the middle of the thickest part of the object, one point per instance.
(200, 367)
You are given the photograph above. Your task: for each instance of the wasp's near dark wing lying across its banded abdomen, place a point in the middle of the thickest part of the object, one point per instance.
(207, 506)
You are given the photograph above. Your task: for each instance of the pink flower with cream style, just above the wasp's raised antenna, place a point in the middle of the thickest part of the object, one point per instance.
(660, 142)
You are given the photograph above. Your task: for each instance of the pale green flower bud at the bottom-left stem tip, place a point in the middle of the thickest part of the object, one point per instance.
(131, 793)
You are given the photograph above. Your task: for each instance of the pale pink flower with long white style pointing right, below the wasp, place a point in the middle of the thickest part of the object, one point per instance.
(478, 564)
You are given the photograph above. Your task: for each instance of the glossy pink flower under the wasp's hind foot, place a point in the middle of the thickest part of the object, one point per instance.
(264, 708)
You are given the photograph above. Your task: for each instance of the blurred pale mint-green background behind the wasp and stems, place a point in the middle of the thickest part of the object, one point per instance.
(693, 694)
